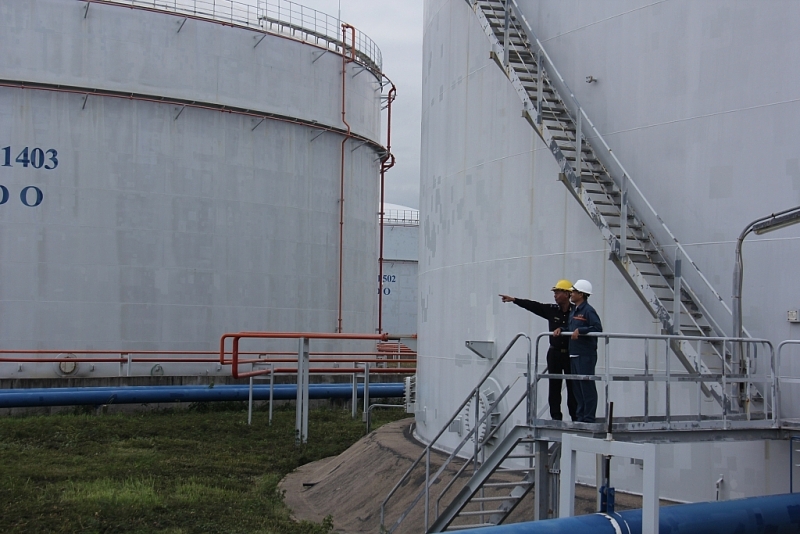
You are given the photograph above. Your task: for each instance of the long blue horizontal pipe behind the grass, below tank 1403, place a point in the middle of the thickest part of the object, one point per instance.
(26, 398)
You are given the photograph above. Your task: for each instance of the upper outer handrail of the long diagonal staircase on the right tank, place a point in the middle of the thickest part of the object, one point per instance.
(708, 297)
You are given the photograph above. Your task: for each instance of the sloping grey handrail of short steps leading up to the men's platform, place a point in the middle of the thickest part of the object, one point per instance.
(430, 445)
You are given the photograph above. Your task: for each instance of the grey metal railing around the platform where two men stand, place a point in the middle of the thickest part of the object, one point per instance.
(659, 374)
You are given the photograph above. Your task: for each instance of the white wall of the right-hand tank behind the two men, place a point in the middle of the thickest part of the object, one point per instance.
(712, 146)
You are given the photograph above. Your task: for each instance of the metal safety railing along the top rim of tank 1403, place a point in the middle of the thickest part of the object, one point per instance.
(280, 17)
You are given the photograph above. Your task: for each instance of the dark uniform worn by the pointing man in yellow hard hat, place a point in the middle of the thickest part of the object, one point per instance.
(557, 355)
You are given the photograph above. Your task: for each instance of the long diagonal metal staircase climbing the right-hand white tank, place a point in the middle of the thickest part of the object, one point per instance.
(648, 255)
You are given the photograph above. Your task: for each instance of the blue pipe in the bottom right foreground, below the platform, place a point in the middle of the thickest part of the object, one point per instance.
(775, 514)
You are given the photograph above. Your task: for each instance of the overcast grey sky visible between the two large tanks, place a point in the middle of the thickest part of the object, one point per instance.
(396, 27)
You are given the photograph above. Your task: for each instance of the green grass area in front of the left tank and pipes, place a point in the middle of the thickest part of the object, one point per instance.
(185, 471)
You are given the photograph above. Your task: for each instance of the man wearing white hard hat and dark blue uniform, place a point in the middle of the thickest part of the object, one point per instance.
(583, 319)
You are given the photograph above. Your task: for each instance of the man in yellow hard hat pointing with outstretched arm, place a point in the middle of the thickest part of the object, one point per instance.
(558, 361)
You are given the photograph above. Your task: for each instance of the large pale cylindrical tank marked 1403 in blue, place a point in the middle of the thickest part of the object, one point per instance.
(169, 175)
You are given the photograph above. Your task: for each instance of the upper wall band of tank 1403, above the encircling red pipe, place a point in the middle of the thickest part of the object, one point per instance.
(117, 48)
